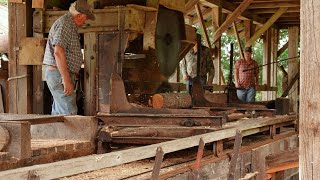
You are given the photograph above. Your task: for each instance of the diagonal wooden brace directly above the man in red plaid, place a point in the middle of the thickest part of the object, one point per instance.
(266, 26)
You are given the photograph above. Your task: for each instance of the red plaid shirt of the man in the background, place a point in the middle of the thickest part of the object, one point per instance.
(247, 78)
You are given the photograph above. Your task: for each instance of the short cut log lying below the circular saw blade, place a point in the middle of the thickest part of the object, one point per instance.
(171, 100)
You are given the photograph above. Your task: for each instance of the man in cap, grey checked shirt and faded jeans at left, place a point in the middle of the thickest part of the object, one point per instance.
(63, 57)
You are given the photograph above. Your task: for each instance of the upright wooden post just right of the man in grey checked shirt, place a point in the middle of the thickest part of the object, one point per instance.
(90, 58)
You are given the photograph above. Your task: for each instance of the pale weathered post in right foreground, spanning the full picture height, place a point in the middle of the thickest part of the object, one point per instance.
(309, 110)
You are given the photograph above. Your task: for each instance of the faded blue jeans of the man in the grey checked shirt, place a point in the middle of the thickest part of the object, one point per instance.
(62, 104)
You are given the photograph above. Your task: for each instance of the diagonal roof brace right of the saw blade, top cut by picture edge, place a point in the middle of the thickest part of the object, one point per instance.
(240, 9)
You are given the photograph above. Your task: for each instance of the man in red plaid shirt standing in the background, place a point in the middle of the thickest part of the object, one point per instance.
(246, 77)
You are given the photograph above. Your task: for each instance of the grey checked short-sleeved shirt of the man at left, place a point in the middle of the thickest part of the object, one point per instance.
(64, 32)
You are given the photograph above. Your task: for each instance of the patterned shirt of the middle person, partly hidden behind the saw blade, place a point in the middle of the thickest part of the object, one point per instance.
(206, 64)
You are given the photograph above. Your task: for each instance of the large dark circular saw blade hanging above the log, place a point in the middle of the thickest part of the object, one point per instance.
(169, 32)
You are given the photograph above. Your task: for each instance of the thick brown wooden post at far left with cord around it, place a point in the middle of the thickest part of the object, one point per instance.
(20, 80)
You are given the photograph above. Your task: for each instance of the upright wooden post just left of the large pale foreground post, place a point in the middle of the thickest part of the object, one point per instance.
(293, 65)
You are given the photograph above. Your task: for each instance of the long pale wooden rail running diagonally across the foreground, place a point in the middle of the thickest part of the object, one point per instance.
(95, 162)
